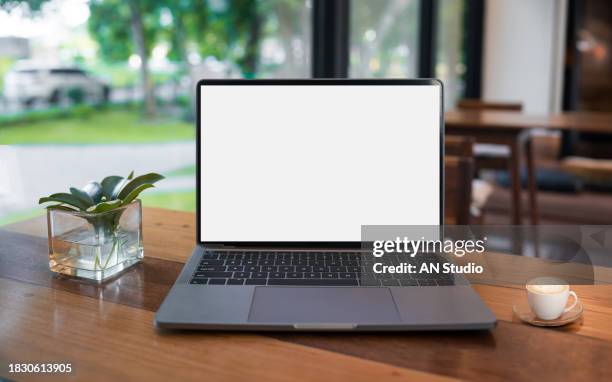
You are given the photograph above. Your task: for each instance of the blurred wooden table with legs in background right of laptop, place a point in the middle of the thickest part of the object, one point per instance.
(513, 130)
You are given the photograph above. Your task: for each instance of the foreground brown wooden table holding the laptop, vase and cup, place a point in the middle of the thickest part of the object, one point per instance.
(107, 331)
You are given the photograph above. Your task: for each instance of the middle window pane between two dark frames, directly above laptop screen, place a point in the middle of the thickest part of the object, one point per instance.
(384, 38)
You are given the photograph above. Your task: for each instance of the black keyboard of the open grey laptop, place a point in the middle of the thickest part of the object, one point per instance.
(310, 269)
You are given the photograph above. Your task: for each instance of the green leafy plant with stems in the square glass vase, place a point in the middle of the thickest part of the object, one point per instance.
(101, 204)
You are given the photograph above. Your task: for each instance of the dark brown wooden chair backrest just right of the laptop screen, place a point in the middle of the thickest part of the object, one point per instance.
(458, 174)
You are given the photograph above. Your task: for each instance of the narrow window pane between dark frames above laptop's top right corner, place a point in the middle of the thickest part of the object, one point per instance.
(450, 53)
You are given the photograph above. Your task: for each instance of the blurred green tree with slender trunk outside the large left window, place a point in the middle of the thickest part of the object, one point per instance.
(225, 29)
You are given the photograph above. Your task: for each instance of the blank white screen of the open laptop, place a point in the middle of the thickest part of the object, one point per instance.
(313, 163)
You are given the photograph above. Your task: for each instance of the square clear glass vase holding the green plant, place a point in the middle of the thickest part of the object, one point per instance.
(95, 246)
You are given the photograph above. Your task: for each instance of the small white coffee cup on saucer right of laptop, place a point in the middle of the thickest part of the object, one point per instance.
(548, 297)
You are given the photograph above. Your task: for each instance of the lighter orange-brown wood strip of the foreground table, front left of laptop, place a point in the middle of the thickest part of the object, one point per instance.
(106, 341)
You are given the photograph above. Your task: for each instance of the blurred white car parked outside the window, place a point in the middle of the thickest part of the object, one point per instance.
(27, 83)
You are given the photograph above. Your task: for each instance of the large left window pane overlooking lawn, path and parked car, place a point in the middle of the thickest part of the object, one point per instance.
(188, 40)
